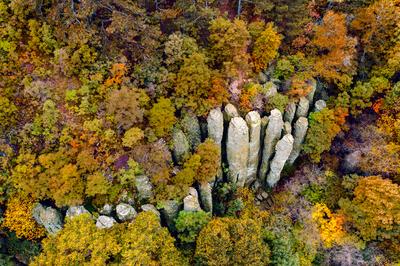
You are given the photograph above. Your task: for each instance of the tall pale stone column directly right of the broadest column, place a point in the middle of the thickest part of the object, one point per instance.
(253, 120)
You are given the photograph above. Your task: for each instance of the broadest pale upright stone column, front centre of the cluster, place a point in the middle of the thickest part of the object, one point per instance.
(237, 148)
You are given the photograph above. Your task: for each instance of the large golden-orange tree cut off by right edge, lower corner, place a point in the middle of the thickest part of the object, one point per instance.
(374, 210)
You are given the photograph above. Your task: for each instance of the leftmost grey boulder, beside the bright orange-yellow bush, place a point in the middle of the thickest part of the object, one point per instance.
(48, 217)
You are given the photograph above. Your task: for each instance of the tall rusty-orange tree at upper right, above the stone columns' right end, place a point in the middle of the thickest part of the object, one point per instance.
(336, 50)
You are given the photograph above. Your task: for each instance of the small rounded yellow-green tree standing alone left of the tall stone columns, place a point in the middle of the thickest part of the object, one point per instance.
(162, 117)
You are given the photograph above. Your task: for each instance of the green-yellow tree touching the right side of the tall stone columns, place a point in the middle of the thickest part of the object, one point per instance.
(324, 127)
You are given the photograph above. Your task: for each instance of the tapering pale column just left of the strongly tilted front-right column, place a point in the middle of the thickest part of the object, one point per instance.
(272, 135)
